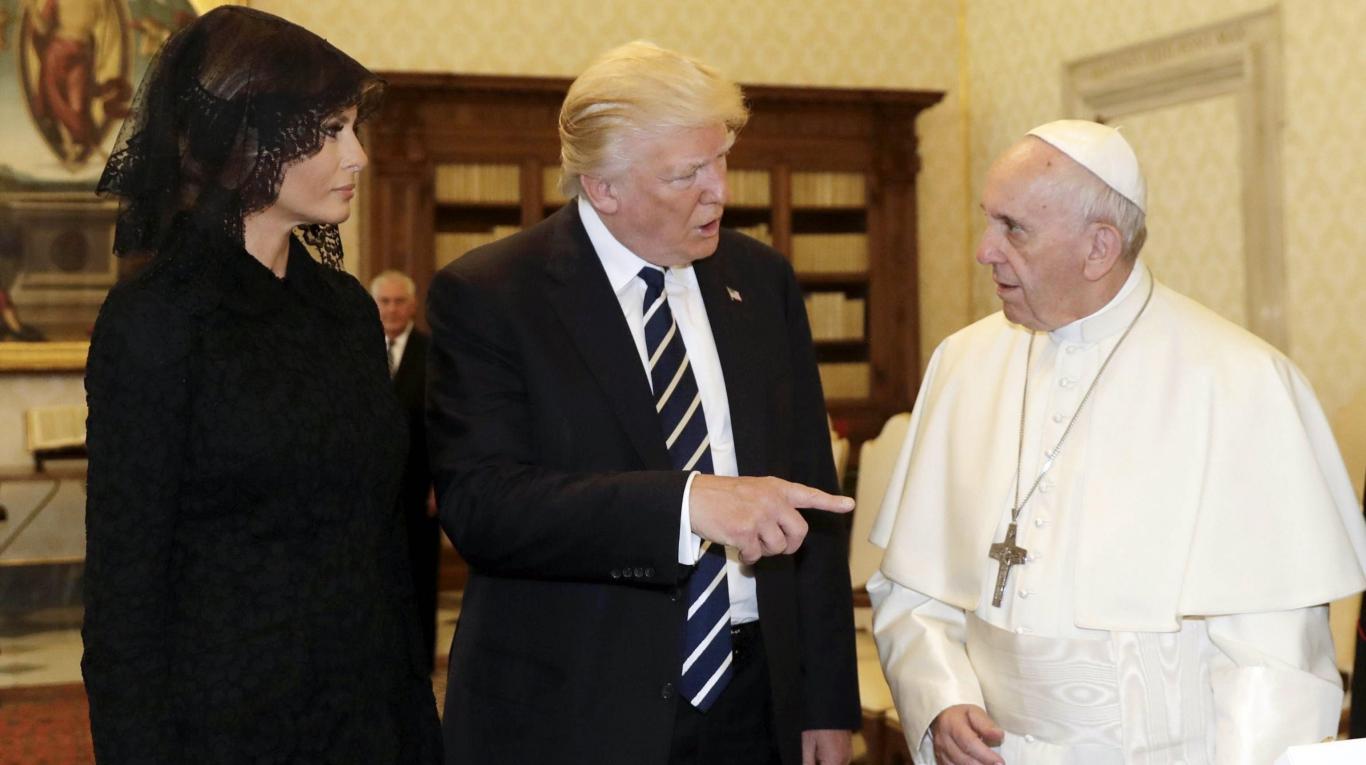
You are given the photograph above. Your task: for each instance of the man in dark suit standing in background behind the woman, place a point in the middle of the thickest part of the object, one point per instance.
(395, 294)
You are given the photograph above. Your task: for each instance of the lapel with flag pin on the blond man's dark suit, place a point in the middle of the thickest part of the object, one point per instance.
(736, 334)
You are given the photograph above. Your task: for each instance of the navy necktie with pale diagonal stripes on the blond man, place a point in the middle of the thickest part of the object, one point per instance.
(707, 635)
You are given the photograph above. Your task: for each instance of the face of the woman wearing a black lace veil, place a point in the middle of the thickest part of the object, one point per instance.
(319, 189)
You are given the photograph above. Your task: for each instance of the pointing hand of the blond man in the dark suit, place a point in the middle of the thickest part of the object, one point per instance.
(756, 516)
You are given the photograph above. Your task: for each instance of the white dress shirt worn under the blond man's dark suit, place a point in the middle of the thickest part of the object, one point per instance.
(685, 300)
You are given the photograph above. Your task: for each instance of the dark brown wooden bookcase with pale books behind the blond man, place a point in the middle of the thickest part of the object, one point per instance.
(826, 176)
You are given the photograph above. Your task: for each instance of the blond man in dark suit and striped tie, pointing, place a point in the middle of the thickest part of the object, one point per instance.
(630, 450)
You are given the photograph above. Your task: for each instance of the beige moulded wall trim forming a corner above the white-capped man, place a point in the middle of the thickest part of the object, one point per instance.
(1240, 58)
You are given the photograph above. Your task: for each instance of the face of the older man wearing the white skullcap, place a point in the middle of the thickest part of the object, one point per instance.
(1035, 241)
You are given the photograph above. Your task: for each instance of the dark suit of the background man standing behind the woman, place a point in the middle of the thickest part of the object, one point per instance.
(424, 531)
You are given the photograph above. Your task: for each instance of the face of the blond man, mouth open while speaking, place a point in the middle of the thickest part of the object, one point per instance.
(673, 195)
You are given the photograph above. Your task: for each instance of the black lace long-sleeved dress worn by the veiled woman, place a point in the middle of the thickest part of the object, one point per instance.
(247, 589)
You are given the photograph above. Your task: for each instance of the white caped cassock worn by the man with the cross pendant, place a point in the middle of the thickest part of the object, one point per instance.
(1182, 544)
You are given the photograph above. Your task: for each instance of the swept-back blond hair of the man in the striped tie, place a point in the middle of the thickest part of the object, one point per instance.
(633, 89)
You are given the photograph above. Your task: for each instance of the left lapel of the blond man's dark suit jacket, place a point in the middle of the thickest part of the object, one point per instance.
(588, 308)
